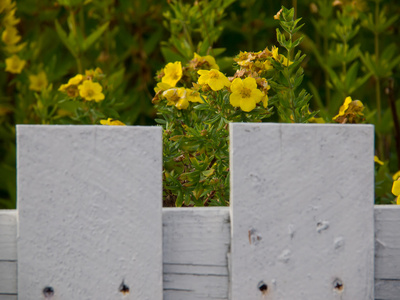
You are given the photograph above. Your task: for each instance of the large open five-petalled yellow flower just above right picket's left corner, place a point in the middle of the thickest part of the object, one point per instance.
(245, 94)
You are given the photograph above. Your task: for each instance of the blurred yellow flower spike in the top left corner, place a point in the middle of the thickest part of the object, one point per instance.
(11, 38)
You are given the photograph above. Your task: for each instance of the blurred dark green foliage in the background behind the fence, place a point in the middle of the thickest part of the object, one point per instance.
(352, 49)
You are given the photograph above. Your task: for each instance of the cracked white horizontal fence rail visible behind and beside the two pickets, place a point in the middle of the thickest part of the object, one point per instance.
(196, 243)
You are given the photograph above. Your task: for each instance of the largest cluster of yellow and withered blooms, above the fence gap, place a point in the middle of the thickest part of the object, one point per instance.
(245, 89)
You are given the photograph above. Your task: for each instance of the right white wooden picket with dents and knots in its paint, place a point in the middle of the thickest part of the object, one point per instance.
(301, 211)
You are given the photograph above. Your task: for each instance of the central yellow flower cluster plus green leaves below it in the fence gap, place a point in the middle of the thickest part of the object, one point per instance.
(197, 101)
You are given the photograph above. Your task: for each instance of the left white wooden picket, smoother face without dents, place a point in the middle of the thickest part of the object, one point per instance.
(89, 209)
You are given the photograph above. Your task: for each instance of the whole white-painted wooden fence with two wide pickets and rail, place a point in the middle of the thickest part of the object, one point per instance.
(301, 223)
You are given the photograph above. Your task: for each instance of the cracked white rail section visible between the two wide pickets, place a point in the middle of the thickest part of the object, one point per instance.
(195, 246)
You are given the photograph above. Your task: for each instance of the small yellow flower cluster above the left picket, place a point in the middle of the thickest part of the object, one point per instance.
(85, 86)
